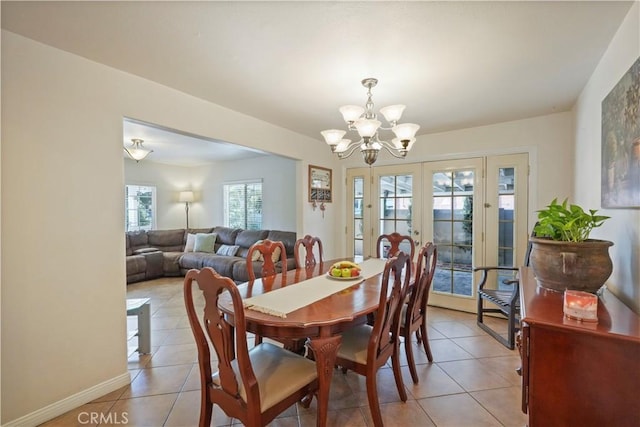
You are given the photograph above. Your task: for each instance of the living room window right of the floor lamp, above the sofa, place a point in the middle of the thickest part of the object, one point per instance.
(243, 205)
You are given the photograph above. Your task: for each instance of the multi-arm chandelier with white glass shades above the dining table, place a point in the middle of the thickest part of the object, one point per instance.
(364, 121)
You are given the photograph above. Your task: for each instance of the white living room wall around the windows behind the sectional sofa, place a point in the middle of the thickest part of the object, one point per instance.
(279, 186)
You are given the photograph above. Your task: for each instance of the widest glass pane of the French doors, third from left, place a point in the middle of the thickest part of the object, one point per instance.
(453, 230)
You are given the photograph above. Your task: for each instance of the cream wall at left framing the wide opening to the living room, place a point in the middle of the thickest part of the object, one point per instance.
(63, 273)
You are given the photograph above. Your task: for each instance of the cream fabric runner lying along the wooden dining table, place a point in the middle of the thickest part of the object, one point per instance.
(290, 298)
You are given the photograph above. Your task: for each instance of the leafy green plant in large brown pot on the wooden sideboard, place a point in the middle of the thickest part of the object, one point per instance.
(563, 256)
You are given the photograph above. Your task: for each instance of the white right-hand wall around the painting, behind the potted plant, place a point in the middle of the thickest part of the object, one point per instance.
(623, 229)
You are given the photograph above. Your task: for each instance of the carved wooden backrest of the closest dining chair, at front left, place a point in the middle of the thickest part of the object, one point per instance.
(222, 336)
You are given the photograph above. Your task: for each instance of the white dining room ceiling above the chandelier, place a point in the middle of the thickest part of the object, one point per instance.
(453, 64)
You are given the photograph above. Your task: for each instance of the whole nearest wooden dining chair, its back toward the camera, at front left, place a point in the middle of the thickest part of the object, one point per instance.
(253, 386)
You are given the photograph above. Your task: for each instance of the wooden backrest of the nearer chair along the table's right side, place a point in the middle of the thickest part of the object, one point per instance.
(384, 336)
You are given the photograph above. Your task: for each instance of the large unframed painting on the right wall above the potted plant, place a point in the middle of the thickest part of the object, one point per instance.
(620, 173)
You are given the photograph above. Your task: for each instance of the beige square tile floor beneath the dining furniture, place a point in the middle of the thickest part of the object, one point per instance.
(472, 381)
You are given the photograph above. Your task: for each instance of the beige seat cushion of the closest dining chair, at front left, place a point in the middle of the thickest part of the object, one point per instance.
(279, 373)
